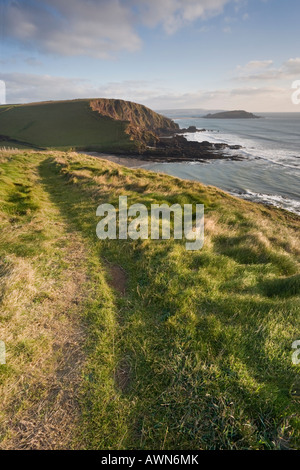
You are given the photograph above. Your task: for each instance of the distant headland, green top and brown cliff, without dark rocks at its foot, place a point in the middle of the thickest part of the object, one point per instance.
(103, 125)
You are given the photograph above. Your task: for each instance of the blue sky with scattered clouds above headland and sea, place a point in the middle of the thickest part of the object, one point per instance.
(165, 54)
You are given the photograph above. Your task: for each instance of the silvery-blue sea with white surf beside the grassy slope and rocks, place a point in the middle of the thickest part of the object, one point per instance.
(269, 171)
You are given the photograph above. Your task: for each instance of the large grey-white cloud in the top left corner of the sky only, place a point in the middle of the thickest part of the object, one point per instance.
(94, 27)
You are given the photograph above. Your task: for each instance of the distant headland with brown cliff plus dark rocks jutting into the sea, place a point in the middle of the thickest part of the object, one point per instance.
(102, 125)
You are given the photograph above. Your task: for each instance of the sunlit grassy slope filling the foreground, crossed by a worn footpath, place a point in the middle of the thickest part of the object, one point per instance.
(141, 344)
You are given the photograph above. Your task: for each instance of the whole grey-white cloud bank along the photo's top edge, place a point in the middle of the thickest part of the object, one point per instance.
(98, 28)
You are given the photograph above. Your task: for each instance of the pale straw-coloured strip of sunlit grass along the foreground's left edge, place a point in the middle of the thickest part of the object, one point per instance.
(42, 275)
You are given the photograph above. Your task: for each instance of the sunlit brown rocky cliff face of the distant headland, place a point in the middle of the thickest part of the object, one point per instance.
(144, 124)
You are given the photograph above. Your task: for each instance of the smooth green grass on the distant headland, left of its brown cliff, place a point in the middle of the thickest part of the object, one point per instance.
(62, 125)
